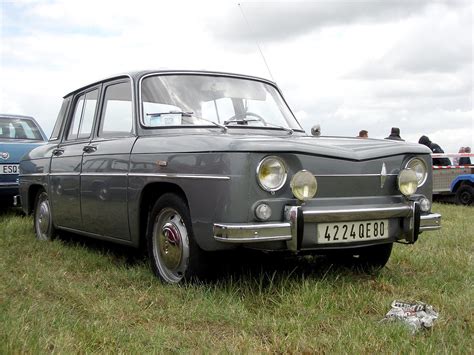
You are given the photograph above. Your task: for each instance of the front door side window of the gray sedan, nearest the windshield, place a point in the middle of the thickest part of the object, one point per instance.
(117, 119)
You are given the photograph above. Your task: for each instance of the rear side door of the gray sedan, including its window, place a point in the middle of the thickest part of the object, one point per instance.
(66, 160)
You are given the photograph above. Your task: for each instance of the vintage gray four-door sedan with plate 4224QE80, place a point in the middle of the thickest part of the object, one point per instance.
(190, 163)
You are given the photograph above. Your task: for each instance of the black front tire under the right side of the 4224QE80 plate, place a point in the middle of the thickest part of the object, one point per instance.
(366, 259)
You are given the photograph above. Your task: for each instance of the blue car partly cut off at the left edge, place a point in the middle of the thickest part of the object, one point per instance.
(18, 135)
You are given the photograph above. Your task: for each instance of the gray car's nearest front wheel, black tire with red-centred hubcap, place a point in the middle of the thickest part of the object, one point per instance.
(173, 253)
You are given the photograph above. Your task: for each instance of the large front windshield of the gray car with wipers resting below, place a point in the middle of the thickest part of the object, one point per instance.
(199, 100)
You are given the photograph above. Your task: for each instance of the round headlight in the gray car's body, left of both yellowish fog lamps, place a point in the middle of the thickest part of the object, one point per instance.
(271, 173)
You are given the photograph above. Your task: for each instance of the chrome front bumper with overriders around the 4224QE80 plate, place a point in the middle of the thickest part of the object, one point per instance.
(410, 223)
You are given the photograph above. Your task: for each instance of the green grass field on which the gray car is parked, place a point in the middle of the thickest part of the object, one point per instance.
(75, 295)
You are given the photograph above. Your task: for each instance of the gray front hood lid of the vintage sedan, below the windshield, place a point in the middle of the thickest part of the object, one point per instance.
(337, 147)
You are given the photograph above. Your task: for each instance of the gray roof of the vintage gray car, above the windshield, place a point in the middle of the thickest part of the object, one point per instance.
(136, 75)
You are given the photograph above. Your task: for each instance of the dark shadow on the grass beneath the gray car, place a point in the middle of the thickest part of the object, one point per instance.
(238, 265)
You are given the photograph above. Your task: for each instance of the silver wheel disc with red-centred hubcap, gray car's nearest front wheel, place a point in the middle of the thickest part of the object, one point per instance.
(171, 245)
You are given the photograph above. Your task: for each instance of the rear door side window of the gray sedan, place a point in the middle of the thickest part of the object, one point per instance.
(81, 125)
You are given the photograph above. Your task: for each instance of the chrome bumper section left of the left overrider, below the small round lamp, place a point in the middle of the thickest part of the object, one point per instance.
(249, 233)
